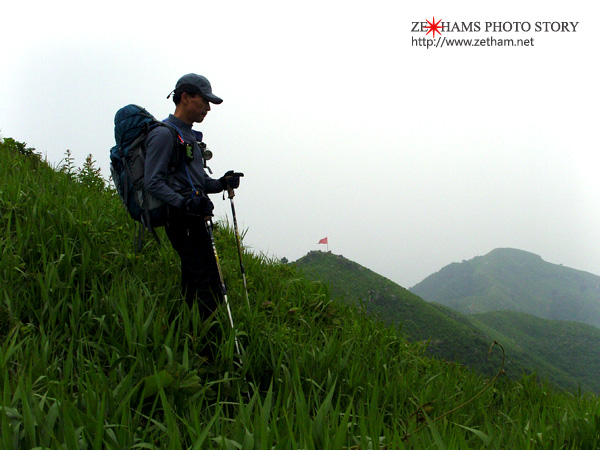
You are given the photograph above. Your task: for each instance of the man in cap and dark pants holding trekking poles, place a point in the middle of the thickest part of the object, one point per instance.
(185, 190)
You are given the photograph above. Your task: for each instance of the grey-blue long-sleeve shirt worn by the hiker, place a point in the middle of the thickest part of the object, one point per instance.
(160, 146)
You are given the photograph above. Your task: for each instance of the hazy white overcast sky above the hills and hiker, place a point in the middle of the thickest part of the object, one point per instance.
(406, 158)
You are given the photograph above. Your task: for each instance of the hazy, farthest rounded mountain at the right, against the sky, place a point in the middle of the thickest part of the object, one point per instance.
(515, 280)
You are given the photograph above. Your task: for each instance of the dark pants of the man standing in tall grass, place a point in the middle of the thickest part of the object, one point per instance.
(199, 273)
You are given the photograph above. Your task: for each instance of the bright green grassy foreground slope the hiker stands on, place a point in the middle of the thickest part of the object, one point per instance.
(98, 351)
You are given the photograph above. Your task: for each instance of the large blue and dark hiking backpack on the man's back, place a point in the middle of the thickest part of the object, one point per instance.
(127, 163)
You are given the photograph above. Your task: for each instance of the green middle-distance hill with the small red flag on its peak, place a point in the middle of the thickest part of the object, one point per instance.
(566, 353)
